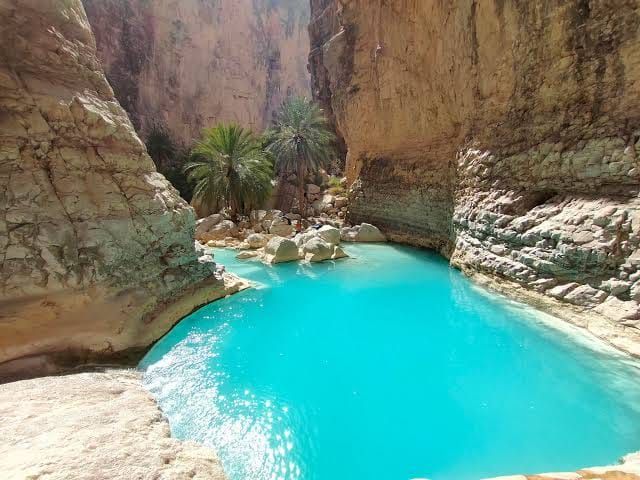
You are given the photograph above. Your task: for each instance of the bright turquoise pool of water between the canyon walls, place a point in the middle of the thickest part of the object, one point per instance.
(387, 366)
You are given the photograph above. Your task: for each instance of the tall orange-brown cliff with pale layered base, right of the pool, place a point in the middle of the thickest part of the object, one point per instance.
(504, 134)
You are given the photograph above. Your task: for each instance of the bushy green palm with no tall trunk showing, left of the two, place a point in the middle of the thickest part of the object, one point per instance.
(230, 169)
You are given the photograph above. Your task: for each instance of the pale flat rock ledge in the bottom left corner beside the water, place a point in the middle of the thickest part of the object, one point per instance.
(93, 426)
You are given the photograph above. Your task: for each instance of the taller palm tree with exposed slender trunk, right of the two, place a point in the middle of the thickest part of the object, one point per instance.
(301, 142)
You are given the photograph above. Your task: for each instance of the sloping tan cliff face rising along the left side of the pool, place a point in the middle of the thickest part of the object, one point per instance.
(97, 252)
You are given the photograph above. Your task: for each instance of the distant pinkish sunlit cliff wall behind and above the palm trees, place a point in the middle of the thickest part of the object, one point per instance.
(191, 63)
